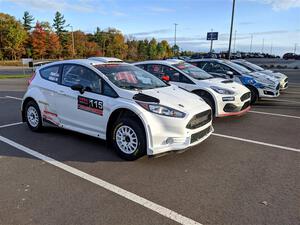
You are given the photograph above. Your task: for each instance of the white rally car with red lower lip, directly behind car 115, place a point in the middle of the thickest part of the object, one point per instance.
(225, 97)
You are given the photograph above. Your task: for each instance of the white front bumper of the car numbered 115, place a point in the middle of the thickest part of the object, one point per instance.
(171, 134)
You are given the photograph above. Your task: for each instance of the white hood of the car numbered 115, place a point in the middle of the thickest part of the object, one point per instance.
(174, 97)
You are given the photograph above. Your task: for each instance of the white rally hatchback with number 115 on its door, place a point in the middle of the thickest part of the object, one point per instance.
(112, 100)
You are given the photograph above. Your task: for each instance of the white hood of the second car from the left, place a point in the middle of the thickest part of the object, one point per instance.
(223, 83)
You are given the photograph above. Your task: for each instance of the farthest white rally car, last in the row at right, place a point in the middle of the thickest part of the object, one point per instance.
(282, 78)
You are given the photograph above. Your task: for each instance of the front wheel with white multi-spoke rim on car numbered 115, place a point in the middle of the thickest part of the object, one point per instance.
(128, 139)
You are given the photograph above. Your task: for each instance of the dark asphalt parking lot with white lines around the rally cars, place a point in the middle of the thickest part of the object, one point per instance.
(247, 172)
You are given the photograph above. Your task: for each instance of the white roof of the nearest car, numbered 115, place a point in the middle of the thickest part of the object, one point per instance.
(87, 62)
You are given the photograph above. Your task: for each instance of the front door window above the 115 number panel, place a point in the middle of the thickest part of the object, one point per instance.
(76, 74)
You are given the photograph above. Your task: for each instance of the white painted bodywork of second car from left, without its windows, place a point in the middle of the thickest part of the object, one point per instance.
(225, 104)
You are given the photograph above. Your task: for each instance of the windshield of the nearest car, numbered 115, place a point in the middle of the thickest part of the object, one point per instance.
(130, 77)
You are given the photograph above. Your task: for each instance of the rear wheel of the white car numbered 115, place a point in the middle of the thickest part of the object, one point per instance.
(33, 116)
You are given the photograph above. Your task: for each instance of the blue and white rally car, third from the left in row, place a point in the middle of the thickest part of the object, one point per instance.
(260, 85)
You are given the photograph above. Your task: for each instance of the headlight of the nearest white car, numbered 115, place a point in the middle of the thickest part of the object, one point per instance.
(161, 110)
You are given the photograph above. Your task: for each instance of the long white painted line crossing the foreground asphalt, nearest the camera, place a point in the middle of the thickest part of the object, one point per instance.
(104, 184)
